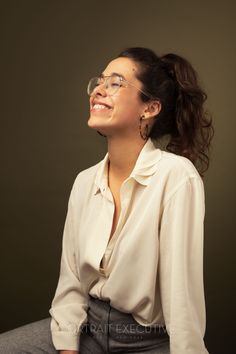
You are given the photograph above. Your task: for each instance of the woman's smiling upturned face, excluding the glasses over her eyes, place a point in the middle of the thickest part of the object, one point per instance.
(119, 113)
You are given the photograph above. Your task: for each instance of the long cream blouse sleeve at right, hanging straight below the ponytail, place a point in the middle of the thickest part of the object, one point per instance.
(181, 268)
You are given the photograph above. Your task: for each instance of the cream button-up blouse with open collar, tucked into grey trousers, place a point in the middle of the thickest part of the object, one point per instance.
(152, 266)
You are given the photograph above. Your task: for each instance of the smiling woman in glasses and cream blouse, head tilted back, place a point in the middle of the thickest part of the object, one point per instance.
(131, 277)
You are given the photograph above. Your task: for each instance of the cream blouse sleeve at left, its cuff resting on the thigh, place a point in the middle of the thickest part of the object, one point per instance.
(69, 306)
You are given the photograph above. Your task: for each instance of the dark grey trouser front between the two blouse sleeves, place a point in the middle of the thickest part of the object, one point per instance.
(109, 330)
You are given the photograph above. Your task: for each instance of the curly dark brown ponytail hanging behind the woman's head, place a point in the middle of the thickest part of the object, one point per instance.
(194, 130)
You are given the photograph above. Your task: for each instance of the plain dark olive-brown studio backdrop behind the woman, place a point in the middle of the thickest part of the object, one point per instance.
(49, 50)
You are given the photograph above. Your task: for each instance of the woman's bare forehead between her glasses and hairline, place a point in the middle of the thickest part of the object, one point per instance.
(123, 66)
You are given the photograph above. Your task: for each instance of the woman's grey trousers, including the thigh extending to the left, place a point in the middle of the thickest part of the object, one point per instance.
(106, 331)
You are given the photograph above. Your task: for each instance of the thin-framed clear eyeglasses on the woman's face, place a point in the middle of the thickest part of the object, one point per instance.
(112, 84)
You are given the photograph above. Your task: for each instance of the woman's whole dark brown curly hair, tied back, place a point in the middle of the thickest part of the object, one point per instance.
(173, 80)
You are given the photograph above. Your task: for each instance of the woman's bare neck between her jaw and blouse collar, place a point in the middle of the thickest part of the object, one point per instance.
(123, 154)
